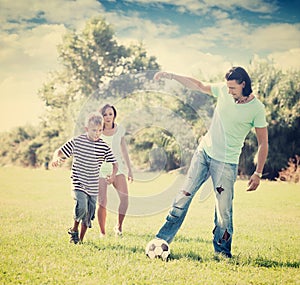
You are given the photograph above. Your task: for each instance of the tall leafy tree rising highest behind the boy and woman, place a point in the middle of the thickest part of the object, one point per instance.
(90, 59)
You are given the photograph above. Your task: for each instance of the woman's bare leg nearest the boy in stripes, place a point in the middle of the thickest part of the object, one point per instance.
(102, 201)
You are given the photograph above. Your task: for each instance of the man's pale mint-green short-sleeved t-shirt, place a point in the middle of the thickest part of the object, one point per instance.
(230, 125)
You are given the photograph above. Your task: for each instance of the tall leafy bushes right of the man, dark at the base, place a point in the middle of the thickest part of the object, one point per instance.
(280, 93)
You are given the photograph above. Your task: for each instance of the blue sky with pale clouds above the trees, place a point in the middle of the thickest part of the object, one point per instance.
(190, 37)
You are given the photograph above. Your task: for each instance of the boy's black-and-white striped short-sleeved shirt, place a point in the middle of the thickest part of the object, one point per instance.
(88, 157)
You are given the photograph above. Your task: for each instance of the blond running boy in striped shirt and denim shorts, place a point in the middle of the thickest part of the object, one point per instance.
(89, 152)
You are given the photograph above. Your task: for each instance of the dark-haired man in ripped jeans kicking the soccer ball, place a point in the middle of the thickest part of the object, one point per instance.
(236, 113)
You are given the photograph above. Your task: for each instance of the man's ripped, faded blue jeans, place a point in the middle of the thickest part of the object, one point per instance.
(223, 177)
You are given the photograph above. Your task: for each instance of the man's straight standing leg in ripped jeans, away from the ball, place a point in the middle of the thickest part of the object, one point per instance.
(224, 177)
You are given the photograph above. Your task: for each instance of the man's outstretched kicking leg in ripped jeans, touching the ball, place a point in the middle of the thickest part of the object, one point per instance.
(196, 176)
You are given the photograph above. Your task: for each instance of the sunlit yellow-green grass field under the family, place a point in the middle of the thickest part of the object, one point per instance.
(36, 211)
